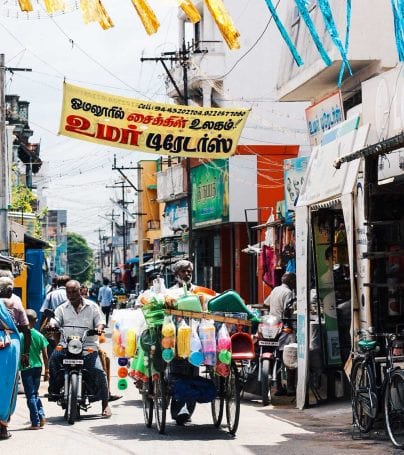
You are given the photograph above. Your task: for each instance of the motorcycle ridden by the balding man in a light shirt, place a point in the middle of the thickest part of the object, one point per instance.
(78, 390)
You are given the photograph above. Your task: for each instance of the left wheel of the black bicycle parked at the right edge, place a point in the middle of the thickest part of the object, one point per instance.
(364, 399)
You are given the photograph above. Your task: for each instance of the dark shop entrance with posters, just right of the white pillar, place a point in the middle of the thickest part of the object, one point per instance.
(330, 304)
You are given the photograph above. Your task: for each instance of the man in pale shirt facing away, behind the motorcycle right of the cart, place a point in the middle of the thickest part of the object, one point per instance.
(280, 303)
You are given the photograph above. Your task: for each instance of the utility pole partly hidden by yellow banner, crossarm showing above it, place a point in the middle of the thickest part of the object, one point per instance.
(183, 57)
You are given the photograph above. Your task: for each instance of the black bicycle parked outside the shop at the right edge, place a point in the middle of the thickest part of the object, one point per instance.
(369, 394)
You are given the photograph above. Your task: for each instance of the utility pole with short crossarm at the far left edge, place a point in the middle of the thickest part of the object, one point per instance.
(4, 163)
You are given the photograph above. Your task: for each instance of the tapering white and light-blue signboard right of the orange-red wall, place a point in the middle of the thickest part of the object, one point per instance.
(294, 170)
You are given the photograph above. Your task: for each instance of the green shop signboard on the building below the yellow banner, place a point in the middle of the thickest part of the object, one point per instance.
(210, 193)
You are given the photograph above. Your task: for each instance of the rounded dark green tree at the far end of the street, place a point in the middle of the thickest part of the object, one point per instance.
(79, 258)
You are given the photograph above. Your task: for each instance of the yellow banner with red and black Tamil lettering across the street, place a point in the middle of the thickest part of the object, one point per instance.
(164, 129)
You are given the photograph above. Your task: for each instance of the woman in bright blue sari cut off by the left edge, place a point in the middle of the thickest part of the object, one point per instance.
(9, 360)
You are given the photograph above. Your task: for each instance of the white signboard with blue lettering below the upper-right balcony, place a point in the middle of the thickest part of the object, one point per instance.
(324, 115)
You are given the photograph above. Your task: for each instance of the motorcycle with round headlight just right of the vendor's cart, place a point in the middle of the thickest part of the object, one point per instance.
(261, 373)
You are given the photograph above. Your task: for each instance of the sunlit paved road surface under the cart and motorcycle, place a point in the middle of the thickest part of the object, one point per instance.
(280, 429)
